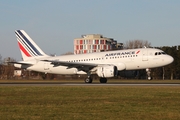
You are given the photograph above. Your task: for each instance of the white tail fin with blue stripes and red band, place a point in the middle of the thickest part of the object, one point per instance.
(29, 49)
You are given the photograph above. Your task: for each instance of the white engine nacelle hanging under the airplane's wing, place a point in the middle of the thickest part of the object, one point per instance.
(107, 71)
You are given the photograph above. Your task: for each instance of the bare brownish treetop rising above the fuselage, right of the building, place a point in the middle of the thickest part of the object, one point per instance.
(136, 44)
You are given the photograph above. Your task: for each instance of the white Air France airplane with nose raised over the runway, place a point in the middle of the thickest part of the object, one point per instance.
(105, 64)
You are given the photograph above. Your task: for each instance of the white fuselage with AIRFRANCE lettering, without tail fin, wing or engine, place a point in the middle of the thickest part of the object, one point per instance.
(130, 59)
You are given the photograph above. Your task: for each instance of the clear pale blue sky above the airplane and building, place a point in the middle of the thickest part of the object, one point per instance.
(54, 24)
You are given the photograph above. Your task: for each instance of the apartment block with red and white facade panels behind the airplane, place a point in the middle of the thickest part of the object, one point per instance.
(95, 43)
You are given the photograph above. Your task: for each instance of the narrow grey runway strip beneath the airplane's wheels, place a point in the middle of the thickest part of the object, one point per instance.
(83, 84)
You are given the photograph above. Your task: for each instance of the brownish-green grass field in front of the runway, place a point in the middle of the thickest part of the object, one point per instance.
(92, 102)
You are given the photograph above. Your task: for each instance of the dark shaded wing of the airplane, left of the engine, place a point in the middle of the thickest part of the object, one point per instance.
(80, 66)
